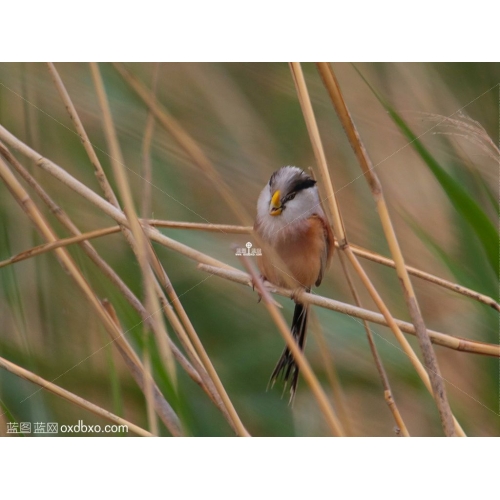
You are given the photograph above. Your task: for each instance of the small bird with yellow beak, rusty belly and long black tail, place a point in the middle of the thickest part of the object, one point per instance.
(297, 246)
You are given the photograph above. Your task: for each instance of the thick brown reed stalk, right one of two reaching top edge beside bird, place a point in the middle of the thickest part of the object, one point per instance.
(430, 359)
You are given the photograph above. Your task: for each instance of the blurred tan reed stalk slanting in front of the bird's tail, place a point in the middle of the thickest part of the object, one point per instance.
(297, 353)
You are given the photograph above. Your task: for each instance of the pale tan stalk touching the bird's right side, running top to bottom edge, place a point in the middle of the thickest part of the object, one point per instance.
(339, 231)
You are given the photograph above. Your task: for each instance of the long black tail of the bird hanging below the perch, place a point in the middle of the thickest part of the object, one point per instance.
(287, 367)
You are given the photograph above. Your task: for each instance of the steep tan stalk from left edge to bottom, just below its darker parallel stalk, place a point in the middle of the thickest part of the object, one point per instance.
(164, 410)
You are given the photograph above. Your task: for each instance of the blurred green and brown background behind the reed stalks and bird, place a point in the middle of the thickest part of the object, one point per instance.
(247, 119)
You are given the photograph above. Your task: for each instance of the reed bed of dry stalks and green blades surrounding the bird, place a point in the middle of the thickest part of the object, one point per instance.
(125, 189)
